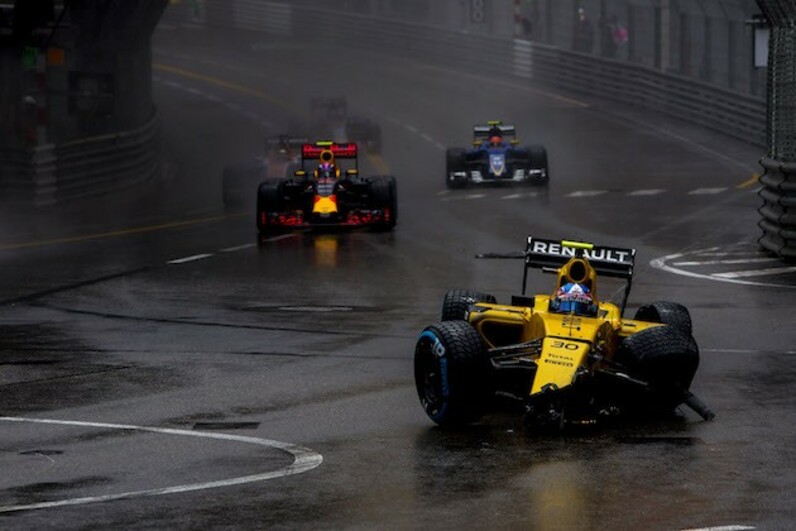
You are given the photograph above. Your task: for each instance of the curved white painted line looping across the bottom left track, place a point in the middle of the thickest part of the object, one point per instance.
(304, 460)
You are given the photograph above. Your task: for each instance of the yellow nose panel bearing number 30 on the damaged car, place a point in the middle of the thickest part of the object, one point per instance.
(559, 362)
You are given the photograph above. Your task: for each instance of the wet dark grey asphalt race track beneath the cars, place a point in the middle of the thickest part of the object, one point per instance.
(157, 309)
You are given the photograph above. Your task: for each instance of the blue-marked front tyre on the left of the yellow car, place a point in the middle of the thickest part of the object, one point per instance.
(451, 373)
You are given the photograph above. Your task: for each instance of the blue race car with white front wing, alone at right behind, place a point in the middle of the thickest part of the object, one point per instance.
(493, 159)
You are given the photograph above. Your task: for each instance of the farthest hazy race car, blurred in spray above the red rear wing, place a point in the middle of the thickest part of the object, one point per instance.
(330, 118)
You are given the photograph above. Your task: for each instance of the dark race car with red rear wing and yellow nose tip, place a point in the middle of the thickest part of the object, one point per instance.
(327, 195)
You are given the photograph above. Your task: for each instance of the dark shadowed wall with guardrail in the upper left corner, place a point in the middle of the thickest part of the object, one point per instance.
(76, 110)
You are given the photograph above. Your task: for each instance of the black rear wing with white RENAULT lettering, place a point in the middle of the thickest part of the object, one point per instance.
(607, 261)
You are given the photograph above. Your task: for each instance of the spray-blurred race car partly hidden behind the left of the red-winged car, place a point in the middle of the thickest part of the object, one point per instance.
(282, 157)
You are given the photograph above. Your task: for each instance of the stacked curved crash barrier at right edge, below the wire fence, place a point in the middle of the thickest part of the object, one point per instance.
(778, 213)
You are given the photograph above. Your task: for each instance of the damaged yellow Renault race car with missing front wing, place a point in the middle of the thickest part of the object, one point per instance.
(565, 357)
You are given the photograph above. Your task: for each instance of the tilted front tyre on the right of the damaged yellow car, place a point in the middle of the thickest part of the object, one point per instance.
(666, 358)
